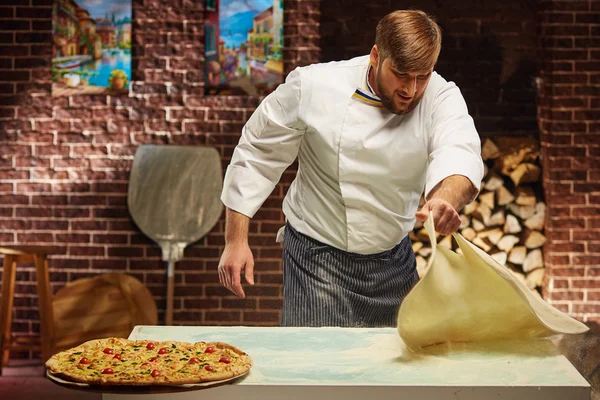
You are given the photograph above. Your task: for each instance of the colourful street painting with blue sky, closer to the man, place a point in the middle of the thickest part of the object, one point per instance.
(244, 40)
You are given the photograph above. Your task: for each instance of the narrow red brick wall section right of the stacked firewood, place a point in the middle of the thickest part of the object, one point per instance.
(569, 110)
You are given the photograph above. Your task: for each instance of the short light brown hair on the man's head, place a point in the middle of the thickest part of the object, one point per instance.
(411, 39)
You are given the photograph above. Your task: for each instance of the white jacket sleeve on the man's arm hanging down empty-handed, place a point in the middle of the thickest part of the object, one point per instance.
(269, 144)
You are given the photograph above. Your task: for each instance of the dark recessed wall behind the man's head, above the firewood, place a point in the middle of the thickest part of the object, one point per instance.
(489, 50)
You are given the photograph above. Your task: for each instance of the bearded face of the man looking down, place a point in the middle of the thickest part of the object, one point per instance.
(400, 91)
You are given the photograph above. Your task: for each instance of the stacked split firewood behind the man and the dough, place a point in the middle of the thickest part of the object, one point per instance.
(506, 219)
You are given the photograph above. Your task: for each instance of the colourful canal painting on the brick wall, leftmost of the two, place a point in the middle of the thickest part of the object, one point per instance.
(91, 52)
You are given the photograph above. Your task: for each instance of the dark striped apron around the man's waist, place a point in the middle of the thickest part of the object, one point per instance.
(325, 286)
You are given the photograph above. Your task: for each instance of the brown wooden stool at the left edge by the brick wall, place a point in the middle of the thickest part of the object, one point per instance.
(37, 256)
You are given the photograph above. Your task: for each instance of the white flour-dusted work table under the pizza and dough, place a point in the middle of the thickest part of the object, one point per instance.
(365, 363)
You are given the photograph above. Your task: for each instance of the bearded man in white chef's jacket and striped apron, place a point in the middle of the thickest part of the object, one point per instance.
(372, 134)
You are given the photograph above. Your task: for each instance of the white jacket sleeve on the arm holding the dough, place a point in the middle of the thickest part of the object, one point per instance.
(455, 146)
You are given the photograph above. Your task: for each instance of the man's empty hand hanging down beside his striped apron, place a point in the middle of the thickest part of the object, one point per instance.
(236, 257)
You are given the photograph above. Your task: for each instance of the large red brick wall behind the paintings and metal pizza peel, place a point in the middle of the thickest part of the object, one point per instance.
(64, 162)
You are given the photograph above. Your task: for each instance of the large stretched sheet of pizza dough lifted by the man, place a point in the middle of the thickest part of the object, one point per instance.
(470, 297)
